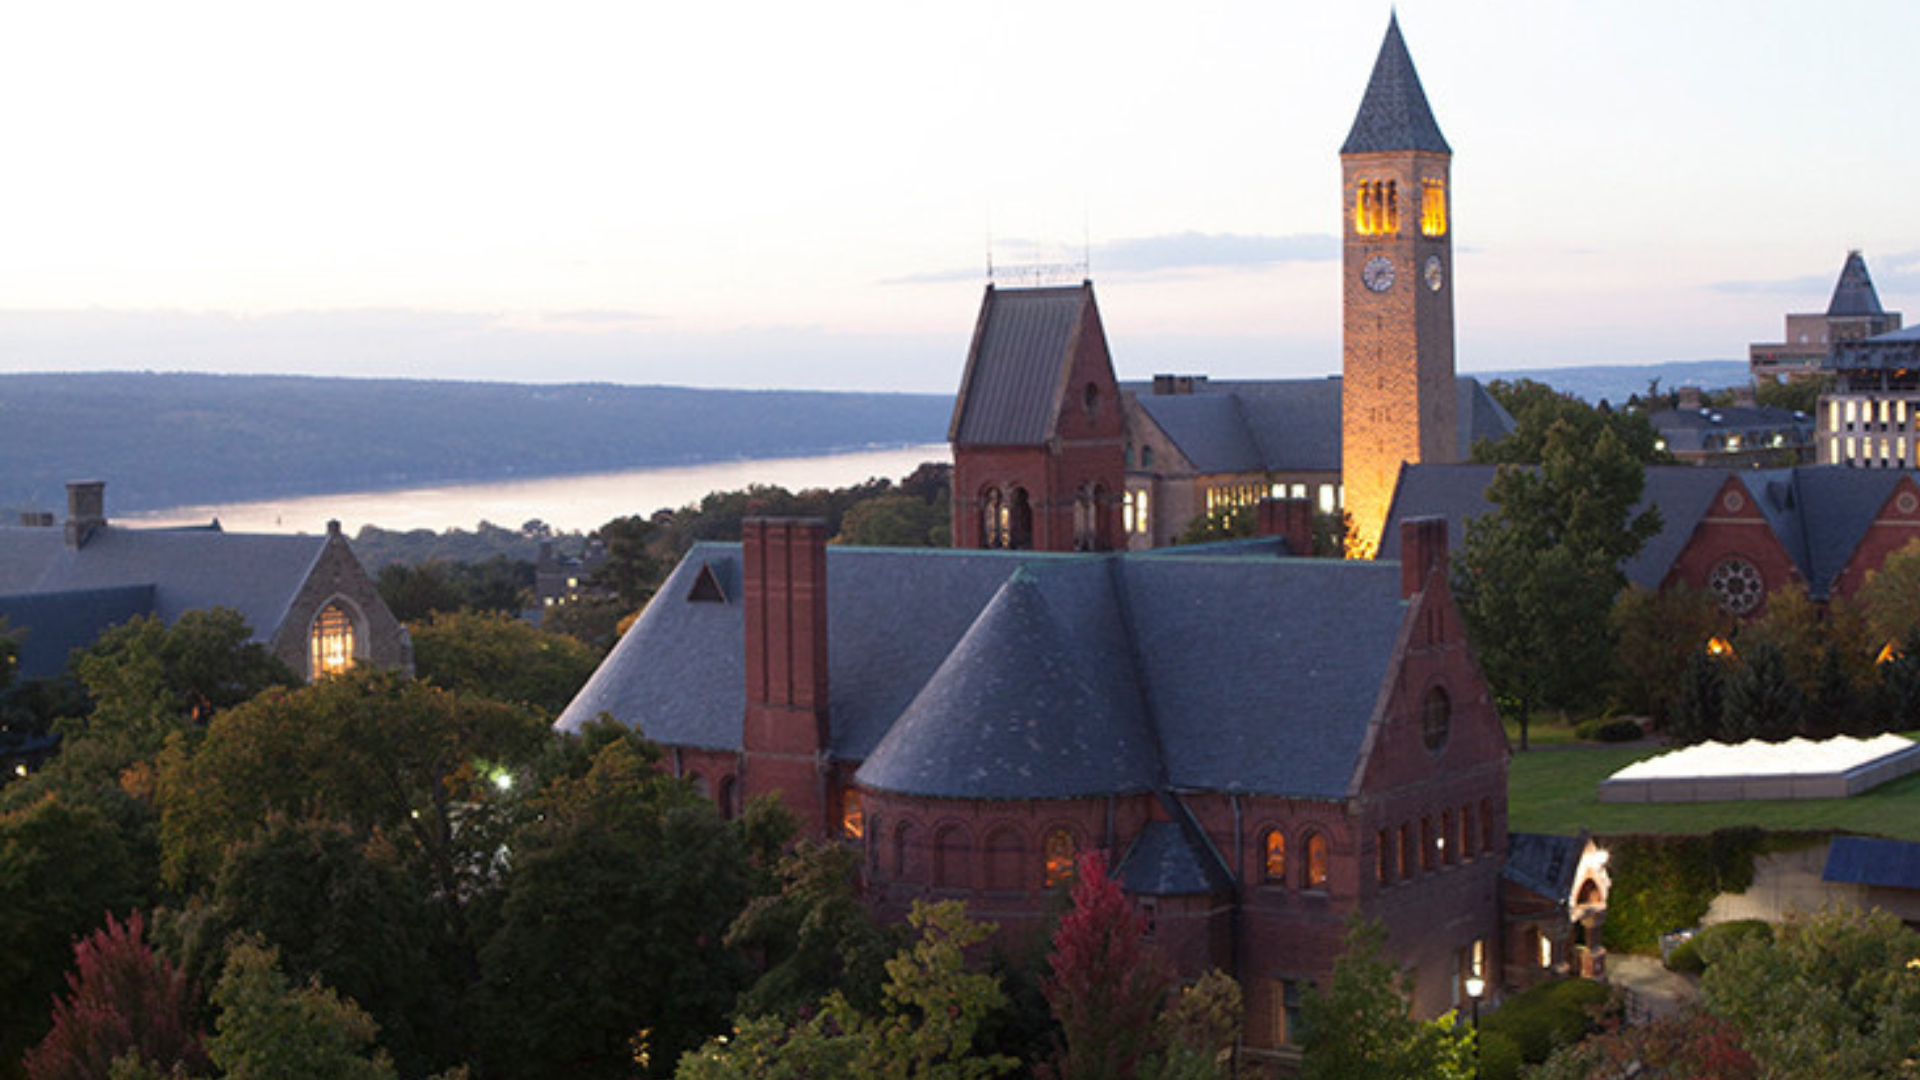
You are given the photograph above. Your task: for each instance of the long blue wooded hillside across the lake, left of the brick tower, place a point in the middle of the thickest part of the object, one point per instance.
(183, 439)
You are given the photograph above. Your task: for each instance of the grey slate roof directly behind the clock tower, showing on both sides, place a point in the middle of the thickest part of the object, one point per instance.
(1282, 426)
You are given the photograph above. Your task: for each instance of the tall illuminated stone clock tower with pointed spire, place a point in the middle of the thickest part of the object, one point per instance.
(1399, 395)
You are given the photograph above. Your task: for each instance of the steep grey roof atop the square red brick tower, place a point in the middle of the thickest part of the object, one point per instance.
(1015, 374)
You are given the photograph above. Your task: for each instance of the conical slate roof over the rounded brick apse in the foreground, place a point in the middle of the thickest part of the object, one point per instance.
(1022, 708)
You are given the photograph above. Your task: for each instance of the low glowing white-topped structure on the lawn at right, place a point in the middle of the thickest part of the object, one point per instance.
(1794, 770)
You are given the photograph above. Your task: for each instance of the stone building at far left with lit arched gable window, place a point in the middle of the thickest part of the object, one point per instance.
(304, 597)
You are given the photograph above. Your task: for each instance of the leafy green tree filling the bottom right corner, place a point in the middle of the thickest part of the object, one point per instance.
(1833, 994)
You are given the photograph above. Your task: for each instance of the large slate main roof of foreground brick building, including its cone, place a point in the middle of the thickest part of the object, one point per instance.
(1003, 675)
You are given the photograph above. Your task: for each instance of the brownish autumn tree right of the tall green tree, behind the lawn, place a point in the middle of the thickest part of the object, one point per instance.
(1656, 637)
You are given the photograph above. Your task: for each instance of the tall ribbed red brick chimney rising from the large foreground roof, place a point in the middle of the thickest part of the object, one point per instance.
(786, 635)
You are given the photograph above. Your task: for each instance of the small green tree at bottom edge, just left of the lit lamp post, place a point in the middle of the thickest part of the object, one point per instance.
(1360, 1025)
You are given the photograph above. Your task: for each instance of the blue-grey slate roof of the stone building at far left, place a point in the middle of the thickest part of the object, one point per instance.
(187, 570)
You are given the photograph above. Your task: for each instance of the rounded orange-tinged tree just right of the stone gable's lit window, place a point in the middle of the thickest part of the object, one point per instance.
(502, 658)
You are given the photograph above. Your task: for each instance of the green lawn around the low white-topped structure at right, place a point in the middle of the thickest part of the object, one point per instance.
(1554, 791)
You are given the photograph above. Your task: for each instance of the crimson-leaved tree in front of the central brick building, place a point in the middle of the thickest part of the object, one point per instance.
(1107, 985)
